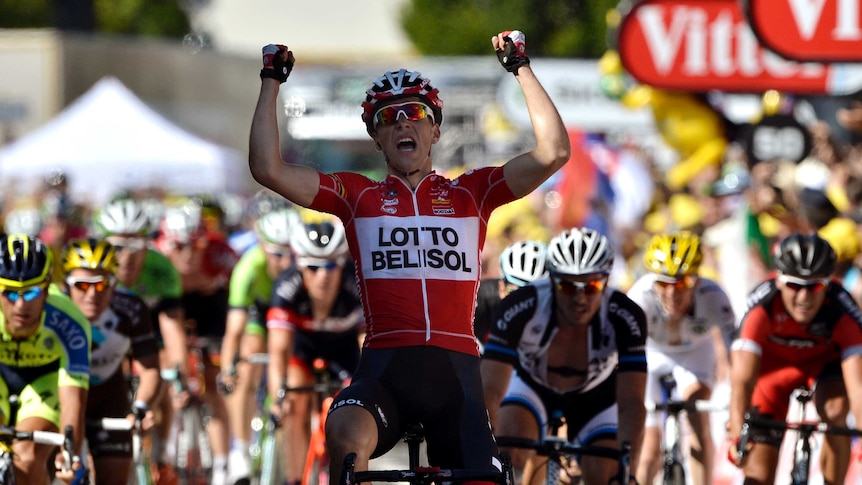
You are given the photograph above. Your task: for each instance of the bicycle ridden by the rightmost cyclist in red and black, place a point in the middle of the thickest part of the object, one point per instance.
(804, 433)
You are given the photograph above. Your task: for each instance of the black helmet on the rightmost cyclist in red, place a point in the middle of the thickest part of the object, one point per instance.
(805, 255)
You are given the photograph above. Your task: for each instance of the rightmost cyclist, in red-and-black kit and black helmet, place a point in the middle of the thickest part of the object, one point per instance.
(801, 327)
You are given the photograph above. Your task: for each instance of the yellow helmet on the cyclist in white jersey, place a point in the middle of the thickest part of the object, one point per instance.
(674, 254)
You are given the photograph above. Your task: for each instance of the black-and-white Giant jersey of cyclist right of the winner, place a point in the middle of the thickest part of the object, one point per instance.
(526, 323)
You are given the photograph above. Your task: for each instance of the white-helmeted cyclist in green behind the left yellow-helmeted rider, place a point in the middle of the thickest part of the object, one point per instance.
(126, 224)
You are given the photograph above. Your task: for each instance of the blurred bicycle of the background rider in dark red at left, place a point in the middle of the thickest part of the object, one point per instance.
(193, 457)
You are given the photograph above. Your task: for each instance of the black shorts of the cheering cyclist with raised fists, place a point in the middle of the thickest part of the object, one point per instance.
(438, 388)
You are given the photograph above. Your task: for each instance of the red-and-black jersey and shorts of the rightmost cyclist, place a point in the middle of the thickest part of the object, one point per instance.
(790, 353)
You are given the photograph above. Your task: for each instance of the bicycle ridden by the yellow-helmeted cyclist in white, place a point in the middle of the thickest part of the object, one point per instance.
(673, 461)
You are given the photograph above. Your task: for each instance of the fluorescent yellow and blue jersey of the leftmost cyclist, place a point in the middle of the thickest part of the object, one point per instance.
(62, 343)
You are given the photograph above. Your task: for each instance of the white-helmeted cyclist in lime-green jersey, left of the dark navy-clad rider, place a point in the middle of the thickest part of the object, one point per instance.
(245, 333)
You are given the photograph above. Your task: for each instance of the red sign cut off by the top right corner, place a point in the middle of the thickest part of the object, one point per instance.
(808, 30)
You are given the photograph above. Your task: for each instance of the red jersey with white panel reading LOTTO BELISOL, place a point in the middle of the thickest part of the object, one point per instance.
(417, 252)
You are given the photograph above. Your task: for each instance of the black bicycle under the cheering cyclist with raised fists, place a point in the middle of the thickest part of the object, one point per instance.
(423, 475)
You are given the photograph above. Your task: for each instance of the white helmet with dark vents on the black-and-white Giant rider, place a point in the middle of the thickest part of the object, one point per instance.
(580, 251)
